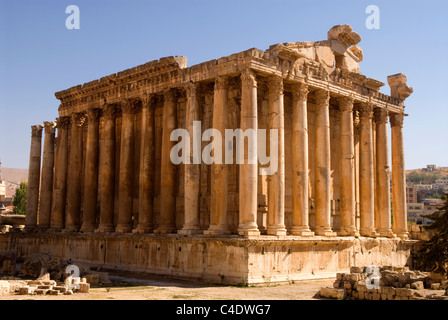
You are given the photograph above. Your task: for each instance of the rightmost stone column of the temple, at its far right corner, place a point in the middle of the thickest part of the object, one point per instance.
(398, 177)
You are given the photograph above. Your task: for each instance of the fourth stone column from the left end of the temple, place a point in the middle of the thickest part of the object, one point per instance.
(72, 219)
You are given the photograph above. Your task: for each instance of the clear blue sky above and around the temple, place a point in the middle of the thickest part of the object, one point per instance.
(39, 55)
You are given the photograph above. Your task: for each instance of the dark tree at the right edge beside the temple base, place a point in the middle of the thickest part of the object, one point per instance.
(433, 254)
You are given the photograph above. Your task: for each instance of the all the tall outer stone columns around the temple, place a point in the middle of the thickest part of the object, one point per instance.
(60, 203)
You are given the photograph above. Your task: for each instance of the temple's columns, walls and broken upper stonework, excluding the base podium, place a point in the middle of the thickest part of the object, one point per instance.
(113, 174)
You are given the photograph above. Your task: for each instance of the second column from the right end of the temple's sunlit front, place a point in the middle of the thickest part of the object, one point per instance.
(382, 174)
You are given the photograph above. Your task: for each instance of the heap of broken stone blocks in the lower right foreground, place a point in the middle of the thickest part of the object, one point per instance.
(392, 283)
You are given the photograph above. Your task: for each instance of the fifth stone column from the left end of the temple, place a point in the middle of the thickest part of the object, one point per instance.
(91, 171)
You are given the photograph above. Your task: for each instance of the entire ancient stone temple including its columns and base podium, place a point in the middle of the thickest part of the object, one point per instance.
(104, 189)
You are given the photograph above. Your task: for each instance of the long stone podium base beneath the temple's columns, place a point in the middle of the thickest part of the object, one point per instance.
(226, 260)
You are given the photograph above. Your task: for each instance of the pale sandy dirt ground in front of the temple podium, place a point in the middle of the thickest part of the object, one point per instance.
(163, 289)
